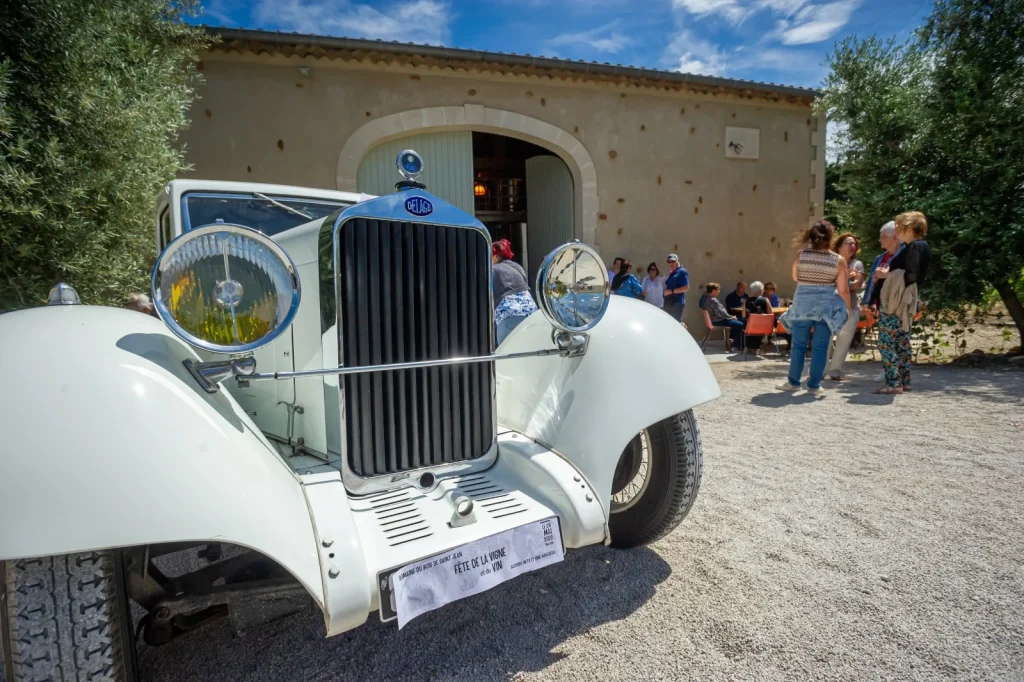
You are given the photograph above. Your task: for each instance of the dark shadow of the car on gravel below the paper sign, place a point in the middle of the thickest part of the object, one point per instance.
(515, 628)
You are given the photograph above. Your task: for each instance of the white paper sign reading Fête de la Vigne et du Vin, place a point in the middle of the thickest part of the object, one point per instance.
(430, 584)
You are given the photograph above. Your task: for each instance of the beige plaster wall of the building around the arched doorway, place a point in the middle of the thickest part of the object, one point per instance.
(663, 181)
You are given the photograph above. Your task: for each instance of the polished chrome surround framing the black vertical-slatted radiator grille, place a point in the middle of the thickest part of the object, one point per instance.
(393, 207)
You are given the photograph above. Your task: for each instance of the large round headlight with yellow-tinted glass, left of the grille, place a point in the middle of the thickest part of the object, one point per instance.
(226, 289)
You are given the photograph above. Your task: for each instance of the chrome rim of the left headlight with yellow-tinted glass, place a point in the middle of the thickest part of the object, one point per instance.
(161, 308)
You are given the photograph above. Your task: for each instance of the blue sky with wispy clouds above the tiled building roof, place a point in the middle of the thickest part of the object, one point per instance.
(777, 41)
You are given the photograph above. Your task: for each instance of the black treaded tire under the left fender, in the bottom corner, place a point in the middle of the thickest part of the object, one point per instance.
(66, 619)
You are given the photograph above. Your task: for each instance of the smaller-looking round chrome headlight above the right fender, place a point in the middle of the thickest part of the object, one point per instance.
(573, 287)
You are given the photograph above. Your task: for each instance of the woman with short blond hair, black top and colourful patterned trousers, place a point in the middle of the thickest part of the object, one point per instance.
(897, 292)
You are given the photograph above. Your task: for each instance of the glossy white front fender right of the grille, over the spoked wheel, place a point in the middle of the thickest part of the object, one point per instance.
(641, 367)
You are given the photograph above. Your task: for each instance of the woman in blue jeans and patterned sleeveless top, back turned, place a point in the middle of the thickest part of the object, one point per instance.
(821, 306)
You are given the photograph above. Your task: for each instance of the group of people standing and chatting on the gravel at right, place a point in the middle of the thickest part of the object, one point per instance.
(830, 280)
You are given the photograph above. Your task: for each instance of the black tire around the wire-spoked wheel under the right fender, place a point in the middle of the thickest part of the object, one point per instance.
(673, 479)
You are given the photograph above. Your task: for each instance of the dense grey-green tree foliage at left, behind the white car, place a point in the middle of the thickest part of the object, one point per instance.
(93, 96)
